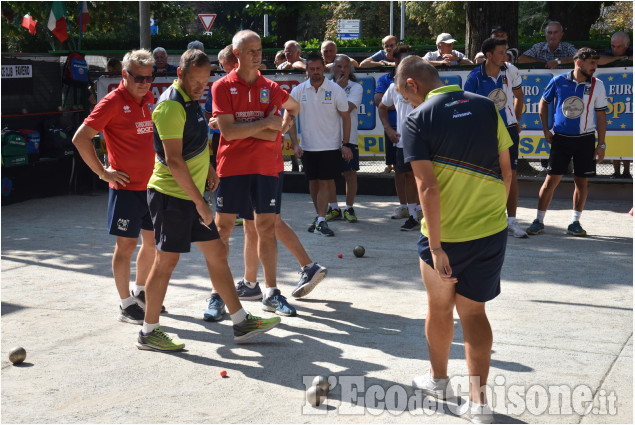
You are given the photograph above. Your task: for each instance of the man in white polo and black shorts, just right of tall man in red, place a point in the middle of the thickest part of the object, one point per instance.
(326, 126)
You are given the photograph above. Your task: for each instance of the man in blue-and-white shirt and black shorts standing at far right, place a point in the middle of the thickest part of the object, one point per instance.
(579, 103)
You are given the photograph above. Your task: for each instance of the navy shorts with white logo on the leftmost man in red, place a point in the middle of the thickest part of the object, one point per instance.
(128, 212)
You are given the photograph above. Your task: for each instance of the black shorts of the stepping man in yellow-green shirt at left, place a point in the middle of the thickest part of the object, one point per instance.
(176, 223)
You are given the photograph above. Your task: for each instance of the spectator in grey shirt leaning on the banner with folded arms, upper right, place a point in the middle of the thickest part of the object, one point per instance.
(553, 52)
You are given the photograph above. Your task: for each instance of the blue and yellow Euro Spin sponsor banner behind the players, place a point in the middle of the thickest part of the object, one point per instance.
(619, 91)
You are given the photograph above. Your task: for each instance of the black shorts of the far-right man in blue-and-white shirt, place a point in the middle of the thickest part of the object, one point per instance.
(580, 148)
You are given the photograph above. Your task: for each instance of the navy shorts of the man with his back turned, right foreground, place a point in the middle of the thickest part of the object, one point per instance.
(476, 264)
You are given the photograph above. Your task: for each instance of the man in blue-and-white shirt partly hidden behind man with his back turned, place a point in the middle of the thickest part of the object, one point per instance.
(500, 81)
